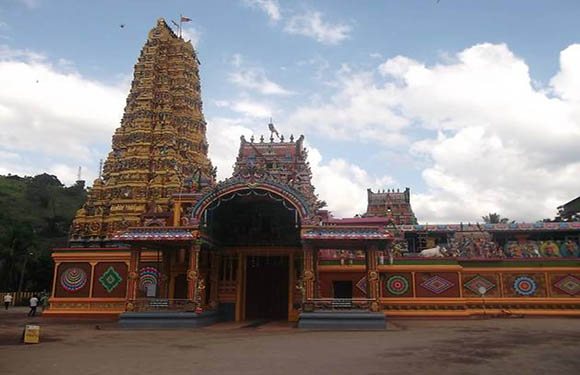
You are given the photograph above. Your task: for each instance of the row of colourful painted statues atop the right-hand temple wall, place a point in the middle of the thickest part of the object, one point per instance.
(468, 248)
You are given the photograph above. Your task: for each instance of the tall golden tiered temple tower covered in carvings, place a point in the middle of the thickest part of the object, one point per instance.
(159, 148)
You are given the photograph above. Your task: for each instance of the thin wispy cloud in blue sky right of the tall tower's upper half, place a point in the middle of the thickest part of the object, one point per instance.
(252, 77)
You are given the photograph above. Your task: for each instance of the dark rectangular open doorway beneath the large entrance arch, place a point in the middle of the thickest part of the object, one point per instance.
(267, 287)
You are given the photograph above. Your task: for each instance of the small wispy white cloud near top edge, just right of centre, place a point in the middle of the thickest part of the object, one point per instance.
(311, 24)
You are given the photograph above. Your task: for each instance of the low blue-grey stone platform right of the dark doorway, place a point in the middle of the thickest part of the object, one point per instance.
(360, 321)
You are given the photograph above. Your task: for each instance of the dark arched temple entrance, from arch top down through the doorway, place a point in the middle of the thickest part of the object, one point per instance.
(262, 230)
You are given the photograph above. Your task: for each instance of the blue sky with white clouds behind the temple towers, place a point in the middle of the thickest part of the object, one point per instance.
(474, 105)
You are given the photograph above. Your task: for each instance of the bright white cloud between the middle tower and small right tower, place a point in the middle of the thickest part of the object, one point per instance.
(343, 185)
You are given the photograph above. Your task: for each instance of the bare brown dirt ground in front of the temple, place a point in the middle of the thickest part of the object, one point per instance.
(481, 346)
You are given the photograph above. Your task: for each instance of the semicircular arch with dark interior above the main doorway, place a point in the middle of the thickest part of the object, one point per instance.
(252, 217)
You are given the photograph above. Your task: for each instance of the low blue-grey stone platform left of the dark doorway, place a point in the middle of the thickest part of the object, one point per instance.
(168, 320)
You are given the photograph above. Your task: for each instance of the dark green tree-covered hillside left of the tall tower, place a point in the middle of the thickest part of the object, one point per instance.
(35, 217)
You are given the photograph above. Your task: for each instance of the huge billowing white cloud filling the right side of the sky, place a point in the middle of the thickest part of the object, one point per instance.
(503, 144)
